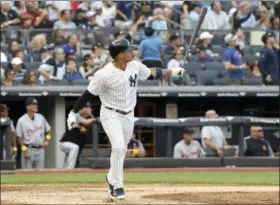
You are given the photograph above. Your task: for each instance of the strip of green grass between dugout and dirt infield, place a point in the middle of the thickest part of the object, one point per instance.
(242, 178)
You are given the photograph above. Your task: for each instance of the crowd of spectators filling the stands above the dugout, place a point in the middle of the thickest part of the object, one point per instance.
(63, 55)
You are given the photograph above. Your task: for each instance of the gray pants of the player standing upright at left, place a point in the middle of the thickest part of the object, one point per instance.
(36, 159)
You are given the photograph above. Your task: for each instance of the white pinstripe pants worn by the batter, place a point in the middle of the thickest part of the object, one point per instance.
(119, 129)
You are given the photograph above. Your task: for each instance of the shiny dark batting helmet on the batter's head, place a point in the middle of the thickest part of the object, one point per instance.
(119, 46)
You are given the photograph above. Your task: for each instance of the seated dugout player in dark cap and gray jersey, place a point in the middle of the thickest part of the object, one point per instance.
(187, 147)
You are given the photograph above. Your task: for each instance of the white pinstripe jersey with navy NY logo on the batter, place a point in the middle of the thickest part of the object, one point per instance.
(117, 88)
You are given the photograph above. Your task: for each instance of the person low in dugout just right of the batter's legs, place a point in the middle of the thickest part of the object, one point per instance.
(135, 148)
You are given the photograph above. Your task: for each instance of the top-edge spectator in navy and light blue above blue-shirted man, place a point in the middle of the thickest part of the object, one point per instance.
(243, 16)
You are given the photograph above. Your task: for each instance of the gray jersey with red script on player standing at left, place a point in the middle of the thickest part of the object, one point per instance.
(32, 131)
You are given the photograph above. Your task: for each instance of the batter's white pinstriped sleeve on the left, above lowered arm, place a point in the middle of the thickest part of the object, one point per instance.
(96, 83)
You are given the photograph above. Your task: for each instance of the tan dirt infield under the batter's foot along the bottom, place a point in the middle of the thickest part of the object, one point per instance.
(139, 194)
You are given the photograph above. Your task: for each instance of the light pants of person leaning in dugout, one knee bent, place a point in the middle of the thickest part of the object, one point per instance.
(71, 151)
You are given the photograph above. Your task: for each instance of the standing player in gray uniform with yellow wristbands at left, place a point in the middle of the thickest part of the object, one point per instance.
(33, 132)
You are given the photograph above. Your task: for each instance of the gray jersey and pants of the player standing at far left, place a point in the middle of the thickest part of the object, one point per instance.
(32, 133)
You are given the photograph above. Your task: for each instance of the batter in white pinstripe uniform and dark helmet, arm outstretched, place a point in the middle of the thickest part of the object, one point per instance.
(116, 86)
